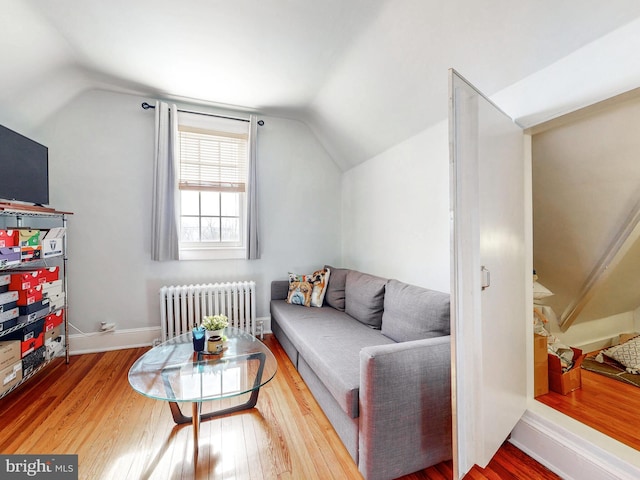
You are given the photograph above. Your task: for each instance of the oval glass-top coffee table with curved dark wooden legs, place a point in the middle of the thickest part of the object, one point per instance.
(172, 371)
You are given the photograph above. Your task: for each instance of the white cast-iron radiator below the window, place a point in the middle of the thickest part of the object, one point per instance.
(183, 306)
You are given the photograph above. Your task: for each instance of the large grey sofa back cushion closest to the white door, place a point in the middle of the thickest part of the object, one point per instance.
(414, 313)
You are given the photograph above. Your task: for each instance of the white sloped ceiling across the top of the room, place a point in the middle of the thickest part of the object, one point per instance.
(364, 74)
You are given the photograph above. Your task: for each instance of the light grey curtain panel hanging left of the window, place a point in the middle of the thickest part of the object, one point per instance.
(164, 231)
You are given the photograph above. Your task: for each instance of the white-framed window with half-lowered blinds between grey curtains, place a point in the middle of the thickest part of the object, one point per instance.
(213, 163)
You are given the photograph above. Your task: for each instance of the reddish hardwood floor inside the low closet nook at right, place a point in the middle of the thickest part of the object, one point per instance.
(607, 405)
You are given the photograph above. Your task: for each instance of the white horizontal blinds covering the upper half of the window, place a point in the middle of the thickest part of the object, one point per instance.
(213, 153)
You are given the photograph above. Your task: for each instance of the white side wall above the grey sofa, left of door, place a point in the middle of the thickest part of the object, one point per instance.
(396, 212)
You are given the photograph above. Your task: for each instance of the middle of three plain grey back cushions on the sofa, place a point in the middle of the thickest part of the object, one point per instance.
(364, 298)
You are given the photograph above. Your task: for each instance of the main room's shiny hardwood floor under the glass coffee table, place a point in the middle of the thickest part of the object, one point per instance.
(88, 408)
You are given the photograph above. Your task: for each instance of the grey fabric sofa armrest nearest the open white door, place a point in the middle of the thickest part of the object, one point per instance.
(405, 407)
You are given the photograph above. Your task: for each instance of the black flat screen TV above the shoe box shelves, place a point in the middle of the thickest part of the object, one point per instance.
(24, 169)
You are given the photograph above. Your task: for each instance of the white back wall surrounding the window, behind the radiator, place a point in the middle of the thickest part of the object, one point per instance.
(101, 155)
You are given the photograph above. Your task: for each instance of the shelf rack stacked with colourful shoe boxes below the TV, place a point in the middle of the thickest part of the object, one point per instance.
(33, 320)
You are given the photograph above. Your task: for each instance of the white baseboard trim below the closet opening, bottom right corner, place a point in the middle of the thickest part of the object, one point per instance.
(572, 456)
